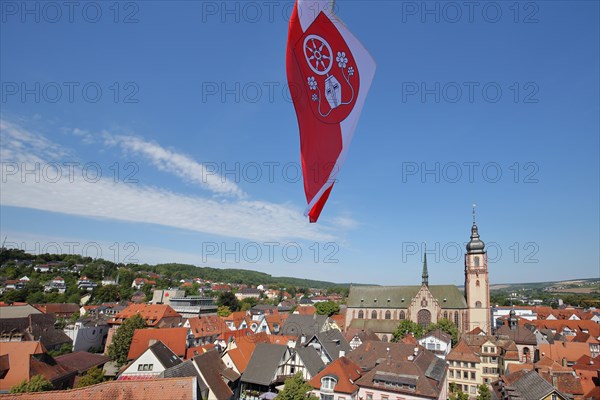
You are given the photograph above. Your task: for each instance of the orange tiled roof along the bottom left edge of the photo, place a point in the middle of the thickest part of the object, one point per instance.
(173, 388)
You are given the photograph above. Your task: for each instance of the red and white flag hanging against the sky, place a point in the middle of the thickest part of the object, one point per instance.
(329, 73)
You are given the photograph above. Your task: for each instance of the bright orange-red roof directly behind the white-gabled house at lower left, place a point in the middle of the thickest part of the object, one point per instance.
(174, 338)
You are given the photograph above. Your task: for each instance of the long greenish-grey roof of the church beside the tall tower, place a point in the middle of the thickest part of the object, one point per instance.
(369, 294)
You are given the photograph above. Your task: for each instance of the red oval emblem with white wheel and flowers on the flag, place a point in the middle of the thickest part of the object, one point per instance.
(329, 70)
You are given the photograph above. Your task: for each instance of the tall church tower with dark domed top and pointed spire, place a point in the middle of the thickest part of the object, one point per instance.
(477, 290)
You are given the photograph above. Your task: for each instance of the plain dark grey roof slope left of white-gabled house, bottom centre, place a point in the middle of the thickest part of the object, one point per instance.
(264, 362)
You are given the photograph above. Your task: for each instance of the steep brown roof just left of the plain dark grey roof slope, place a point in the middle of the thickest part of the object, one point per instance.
(215, 374)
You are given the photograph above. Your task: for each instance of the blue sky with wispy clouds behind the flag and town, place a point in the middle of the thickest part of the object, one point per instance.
(188, 102)
